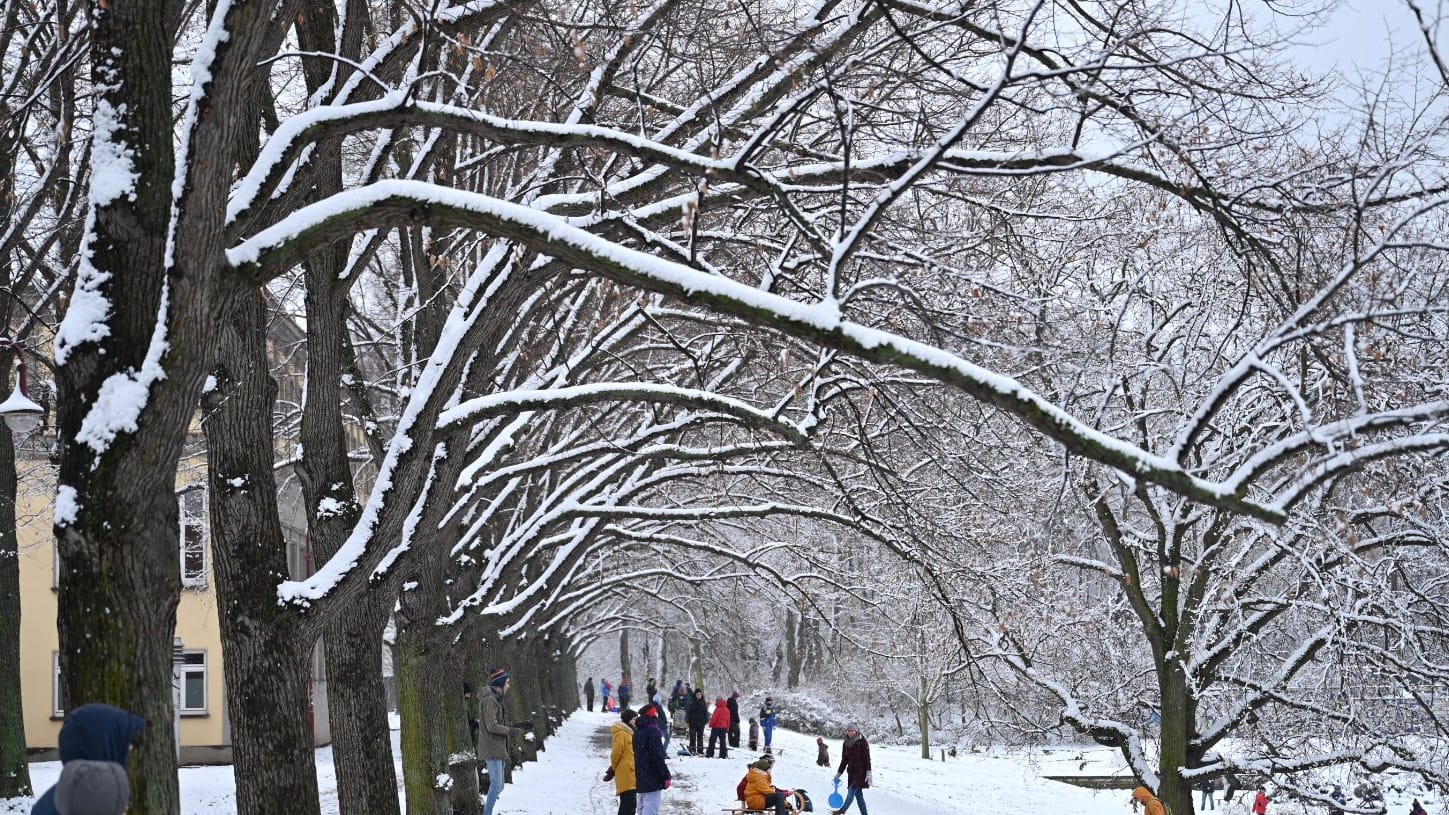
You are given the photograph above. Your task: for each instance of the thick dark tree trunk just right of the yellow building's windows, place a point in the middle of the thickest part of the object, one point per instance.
(264, 648)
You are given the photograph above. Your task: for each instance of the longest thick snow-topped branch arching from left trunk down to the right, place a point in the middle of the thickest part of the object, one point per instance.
(386, 204)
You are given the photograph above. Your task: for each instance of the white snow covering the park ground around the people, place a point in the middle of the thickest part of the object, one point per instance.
(569, 781)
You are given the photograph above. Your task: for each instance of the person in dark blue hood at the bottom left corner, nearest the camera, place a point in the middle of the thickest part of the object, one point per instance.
(95, 749)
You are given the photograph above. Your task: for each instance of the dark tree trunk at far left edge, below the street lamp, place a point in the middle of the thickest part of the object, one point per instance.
(15, 769)
